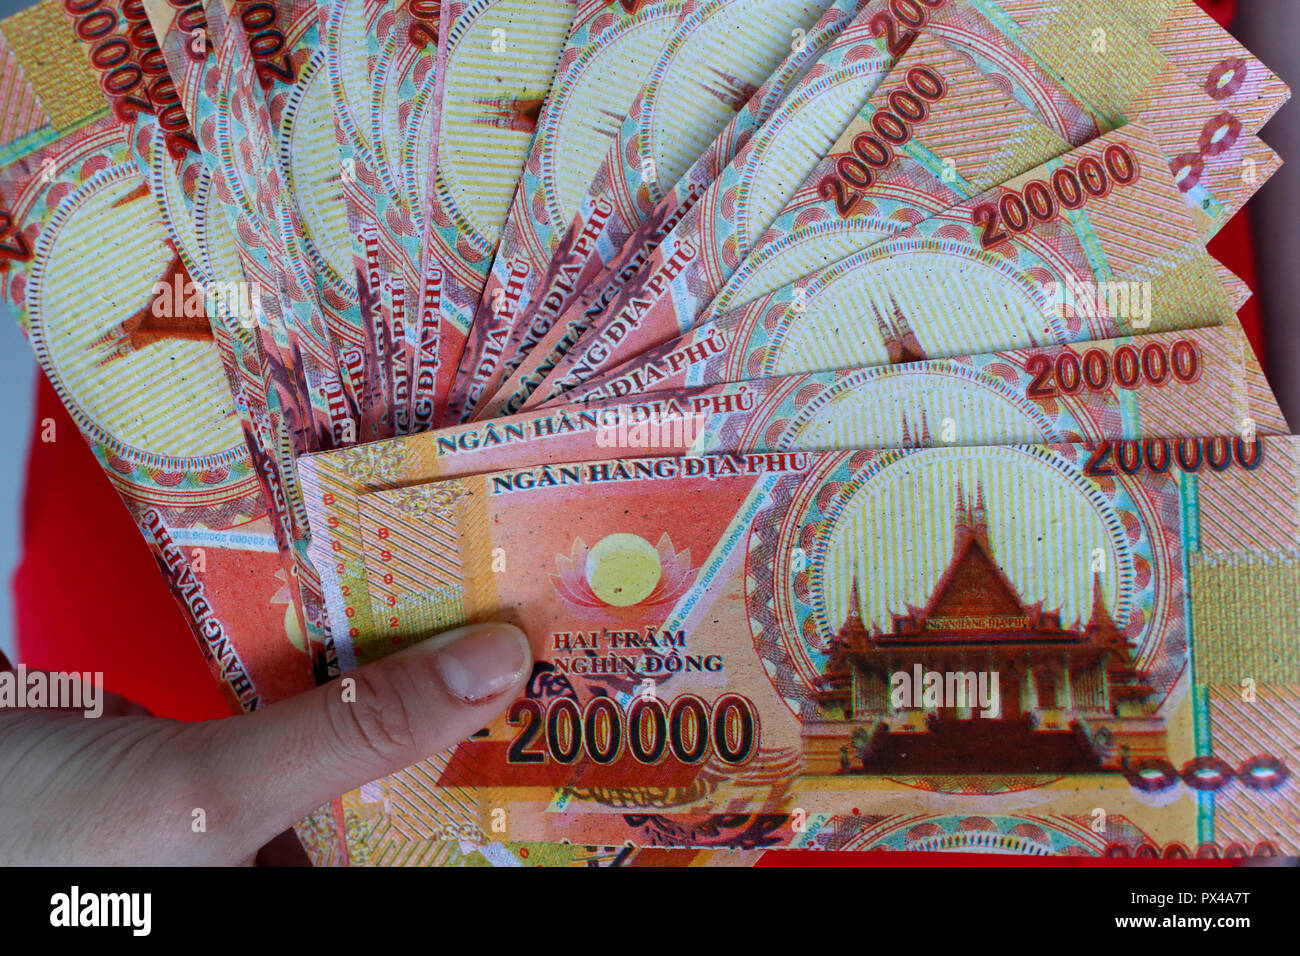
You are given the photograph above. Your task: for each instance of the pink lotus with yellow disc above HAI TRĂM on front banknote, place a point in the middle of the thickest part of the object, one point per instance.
(623, 572)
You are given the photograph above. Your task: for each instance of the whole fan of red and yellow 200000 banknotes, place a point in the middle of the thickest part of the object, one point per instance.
(840, 396)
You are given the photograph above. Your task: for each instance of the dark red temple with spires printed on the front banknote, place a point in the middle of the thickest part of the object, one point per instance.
(1072, 698)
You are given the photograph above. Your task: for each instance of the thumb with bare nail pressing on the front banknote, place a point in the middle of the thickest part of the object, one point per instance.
(296, 756)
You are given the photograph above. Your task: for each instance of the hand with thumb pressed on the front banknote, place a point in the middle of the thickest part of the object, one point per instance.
(124, 788)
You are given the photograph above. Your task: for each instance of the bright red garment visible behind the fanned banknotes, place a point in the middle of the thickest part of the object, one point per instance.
(90, 598)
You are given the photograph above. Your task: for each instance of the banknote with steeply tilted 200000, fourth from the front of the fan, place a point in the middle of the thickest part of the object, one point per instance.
(964, 135)
